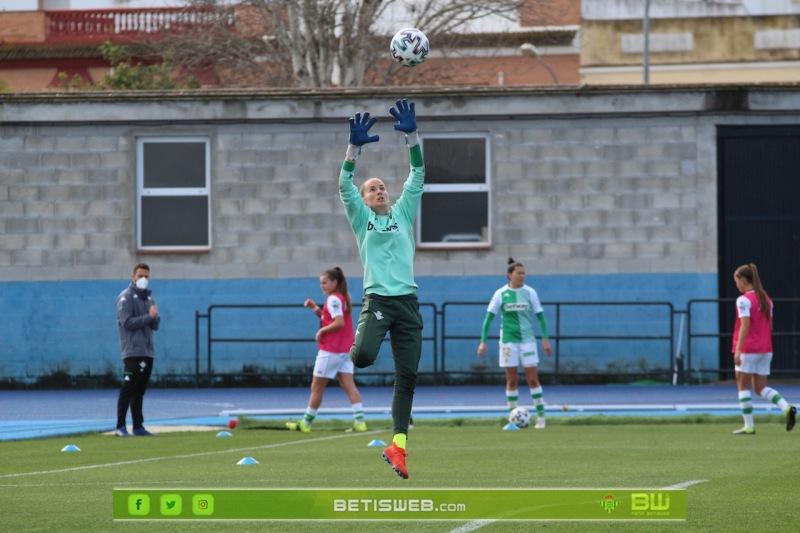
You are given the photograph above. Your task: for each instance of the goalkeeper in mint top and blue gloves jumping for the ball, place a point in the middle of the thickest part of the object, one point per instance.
(385, 237)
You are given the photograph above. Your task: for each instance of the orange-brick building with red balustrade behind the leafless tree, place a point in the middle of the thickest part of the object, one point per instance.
(45, 47)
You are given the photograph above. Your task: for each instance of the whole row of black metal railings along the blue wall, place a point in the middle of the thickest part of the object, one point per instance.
(592, 342)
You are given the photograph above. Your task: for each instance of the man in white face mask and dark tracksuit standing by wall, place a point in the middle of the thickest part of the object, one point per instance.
(137, 318)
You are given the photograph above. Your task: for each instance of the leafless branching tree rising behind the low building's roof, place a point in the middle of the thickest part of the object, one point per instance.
(311, 43)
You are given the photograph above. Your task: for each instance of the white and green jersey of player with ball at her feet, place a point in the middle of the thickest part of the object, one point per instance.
(517, 309)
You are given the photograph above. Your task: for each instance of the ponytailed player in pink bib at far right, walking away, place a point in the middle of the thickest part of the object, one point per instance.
(752, 348)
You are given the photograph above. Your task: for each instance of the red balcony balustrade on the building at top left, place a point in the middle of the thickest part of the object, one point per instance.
(126, 25)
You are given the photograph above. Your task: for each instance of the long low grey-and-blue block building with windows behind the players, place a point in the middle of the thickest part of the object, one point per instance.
(232, 199)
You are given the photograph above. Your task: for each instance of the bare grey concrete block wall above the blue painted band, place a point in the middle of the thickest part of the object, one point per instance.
(576, 193)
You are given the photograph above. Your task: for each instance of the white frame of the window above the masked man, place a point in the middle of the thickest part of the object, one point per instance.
(142, 192)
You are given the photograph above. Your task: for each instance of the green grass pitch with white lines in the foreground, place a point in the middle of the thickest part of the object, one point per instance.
(733, 483)
